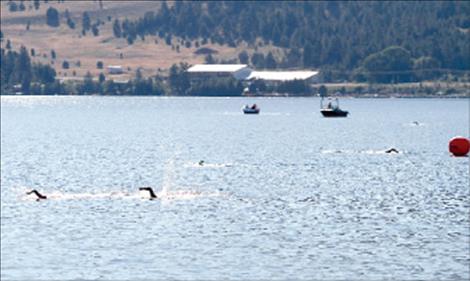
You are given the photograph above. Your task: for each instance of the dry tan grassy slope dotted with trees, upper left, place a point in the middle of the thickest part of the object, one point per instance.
(69, 44)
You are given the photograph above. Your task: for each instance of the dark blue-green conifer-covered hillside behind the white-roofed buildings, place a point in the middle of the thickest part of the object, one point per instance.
(335, 34)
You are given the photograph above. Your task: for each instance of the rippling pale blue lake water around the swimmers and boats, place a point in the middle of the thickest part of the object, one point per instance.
(285, 194)
